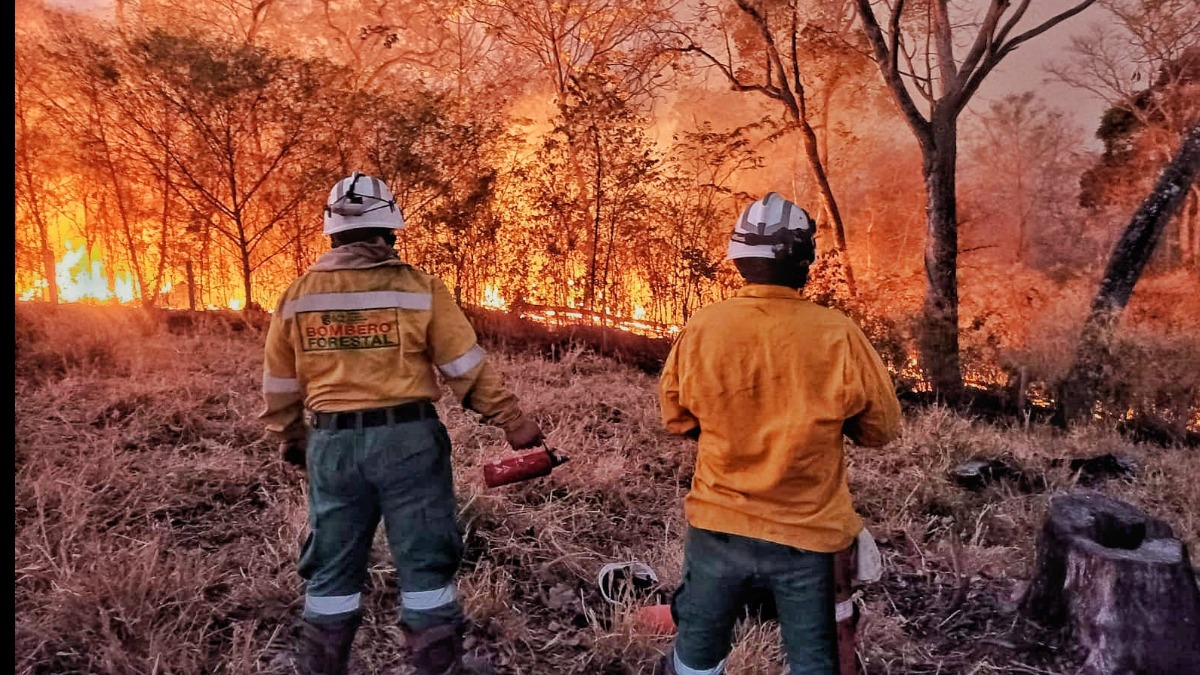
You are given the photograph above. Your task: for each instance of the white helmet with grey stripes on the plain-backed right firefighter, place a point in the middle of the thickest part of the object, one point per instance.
(769, 228)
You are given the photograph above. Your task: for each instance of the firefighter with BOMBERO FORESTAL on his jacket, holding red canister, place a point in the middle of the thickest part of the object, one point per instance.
(350, 386)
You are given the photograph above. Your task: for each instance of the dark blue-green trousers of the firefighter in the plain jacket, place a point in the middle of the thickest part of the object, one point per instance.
(719, 572)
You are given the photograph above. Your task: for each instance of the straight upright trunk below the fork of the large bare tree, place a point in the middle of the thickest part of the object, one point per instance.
(939, 341)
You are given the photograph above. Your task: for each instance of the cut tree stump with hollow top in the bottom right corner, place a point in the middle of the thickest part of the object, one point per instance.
(1121, 584)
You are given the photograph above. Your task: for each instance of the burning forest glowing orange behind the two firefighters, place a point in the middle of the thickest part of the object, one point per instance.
(591, 213)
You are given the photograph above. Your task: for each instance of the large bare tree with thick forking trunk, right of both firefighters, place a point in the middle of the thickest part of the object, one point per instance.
(933, 86)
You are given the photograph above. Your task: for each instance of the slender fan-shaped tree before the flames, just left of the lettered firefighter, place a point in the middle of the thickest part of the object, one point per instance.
(250, 151)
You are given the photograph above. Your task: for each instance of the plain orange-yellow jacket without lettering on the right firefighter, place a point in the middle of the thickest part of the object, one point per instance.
(772, 383)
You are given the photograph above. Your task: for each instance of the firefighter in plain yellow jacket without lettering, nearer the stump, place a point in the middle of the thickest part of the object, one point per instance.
(770, 384)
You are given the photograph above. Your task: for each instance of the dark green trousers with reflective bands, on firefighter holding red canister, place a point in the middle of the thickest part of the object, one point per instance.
(399, 474)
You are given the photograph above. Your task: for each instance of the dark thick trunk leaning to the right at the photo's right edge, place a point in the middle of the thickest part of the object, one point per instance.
(1130, 258)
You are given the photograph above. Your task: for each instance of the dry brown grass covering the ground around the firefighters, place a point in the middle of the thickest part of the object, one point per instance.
(157, 533)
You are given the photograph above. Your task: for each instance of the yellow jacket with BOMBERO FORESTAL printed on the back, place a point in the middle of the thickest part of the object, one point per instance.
(362, 330)
